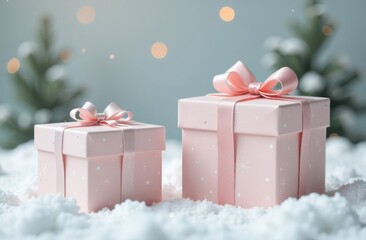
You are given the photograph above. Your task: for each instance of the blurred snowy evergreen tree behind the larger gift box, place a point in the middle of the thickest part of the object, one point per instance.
(333, 78)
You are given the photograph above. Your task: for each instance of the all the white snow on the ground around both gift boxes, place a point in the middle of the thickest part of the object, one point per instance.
(339, 214)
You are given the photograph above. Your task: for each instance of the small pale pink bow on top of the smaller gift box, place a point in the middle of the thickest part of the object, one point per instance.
(112, 115)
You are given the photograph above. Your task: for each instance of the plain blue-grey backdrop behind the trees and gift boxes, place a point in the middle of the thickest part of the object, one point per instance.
(200, 45)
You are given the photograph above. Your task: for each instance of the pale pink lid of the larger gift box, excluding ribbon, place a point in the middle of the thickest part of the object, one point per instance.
(259, 116)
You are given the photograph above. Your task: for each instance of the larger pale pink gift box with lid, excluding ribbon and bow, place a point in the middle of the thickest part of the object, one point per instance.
(267, 133)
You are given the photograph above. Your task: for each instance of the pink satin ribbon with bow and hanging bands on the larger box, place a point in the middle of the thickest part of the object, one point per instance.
(239, 84)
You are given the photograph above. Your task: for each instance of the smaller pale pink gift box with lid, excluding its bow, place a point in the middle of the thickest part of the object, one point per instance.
(97, 172)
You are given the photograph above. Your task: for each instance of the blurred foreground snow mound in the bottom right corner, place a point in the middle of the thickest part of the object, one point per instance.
(319, 215)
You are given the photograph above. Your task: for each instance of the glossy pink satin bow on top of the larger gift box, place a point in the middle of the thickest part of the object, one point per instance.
(239, 80)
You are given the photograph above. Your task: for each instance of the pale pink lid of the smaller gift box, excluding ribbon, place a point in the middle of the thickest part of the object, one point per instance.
(92, 141)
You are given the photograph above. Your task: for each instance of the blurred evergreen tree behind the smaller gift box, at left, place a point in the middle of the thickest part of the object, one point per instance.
(40, 86)
